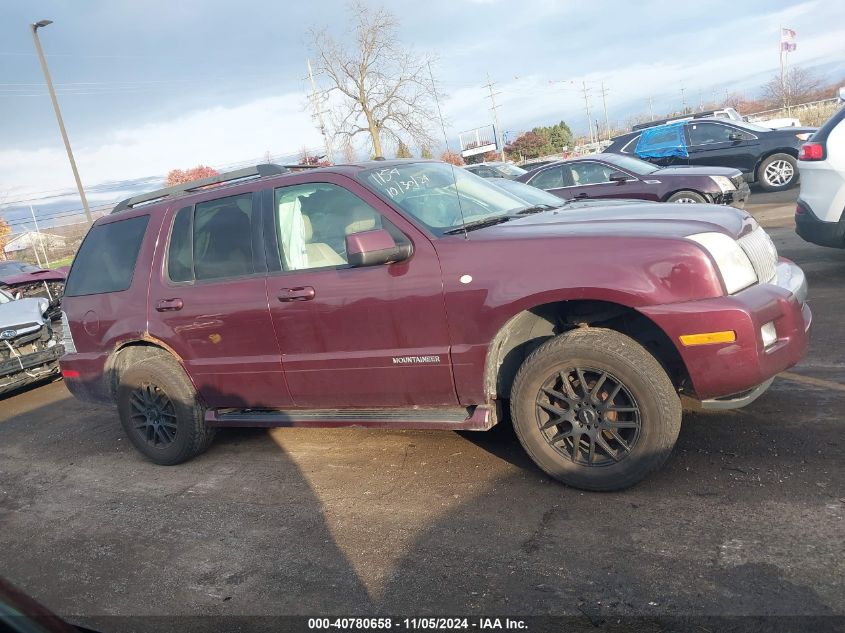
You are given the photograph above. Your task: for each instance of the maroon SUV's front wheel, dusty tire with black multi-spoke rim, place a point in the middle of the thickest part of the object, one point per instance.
(648, 425)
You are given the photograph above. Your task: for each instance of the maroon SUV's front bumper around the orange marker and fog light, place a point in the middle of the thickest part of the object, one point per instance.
(729, 371)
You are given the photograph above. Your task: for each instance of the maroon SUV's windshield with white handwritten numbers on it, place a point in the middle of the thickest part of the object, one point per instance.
(428, 193)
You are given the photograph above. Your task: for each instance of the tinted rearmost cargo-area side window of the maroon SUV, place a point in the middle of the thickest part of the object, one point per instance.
(106, 260)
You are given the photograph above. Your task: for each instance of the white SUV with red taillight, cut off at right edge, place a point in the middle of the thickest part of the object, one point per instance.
(820, 212)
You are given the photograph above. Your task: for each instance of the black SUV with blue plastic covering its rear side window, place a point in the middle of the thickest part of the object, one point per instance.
(762, 154)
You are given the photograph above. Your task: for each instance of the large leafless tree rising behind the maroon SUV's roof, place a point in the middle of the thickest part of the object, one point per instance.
(385, 89)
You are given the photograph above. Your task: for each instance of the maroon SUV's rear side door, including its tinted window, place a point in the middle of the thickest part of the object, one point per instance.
(208, 302)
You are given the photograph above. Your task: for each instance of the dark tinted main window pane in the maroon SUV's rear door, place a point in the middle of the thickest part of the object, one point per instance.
(222, 238)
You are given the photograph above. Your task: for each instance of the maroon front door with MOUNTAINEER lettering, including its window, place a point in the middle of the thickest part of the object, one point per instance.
(372, 336)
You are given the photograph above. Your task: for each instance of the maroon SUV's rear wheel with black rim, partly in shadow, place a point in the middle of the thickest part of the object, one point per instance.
(174, 430)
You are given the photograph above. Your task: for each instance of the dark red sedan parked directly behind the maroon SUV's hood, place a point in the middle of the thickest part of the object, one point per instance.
(616, 176)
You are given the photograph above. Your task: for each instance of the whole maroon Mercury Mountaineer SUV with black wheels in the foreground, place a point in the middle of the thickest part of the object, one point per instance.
(410, 294)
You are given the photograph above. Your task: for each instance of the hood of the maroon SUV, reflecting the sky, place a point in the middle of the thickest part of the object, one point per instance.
(644, 219)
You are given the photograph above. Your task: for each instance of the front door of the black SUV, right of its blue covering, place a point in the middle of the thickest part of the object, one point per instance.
(710, 143)
